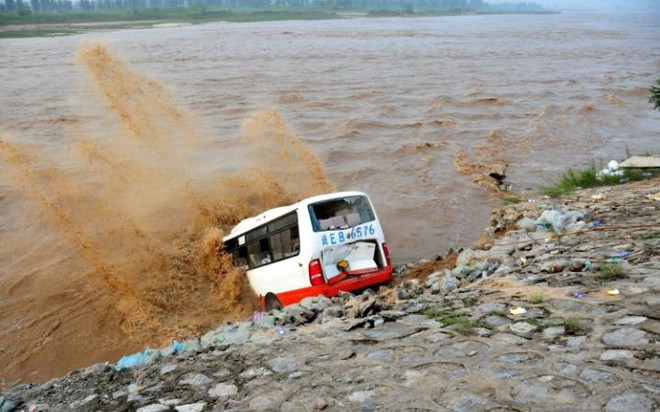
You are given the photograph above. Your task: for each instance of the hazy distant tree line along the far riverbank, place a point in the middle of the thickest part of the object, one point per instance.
(63, 6)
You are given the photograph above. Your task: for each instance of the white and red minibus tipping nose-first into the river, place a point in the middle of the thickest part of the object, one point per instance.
(318, 246)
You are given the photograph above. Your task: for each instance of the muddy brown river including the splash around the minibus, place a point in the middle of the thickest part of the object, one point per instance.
(125, 155)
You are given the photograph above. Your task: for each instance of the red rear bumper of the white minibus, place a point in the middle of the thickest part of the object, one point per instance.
(347, 284)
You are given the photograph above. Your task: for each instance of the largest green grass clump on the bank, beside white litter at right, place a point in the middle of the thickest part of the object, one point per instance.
(572, 180)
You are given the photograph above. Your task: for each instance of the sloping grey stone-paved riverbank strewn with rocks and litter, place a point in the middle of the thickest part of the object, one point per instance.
(556, 308)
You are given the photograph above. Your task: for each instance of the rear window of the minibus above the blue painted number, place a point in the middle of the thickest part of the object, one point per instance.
(340, 213)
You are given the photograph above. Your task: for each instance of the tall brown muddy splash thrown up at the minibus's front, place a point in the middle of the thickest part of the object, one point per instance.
(144, 226)
